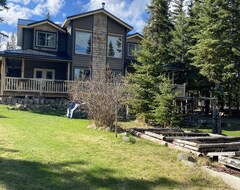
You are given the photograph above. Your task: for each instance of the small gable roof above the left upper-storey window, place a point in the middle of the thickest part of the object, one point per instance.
(32, 23)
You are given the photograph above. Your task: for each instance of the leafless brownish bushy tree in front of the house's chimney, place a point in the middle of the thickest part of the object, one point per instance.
(102, 96)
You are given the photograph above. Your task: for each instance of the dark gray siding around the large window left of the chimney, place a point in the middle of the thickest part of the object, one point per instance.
(85, 23)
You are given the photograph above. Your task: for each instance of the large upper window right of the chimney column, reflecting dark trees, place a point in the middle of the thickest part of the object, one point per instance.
(114, 47)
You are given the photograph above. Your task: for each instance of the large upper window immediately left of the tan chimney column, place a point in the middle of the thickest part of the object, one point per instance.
(83, 43)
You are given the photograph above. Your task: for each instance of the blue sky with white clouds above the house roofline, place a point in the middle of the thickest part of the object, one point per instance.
(131, 11)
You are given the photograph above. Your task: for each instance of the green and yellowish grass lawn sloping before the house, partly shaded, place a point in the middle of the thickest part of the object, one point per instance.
(52, 152)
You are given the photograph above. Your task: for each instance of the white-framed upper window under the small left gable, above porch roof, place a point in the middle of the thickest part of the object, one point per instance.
(46, 39)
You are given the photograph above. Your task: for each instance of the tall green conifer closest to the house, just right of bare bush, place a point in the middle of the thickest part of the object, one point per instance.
(154, 57)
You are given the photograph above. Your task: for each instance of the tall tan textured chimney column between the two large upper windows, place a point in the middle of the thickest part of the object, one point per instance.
(99, 41)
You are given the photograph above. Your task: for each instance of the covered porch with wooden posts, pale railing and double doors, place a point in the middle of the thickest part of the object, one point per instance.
(27, 76)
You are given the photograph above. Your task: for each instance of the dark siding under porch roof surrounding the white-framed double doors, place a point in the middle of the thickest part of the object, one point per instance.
(59, 67)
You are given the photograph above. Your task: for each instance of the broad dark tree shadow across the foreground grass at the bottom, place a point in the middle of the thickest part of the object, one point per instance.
(19, 174)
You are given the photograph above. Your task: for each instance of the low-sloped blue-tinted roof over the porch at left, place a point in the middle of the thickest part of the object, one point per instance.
(29, 53)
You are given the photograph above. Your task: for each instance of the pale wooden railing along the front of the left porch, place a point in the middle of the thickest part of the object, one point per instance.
(35, 85)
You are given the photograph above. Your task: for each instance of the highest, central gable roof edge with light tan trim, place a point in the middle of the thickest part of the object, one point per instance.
(102, 10)
